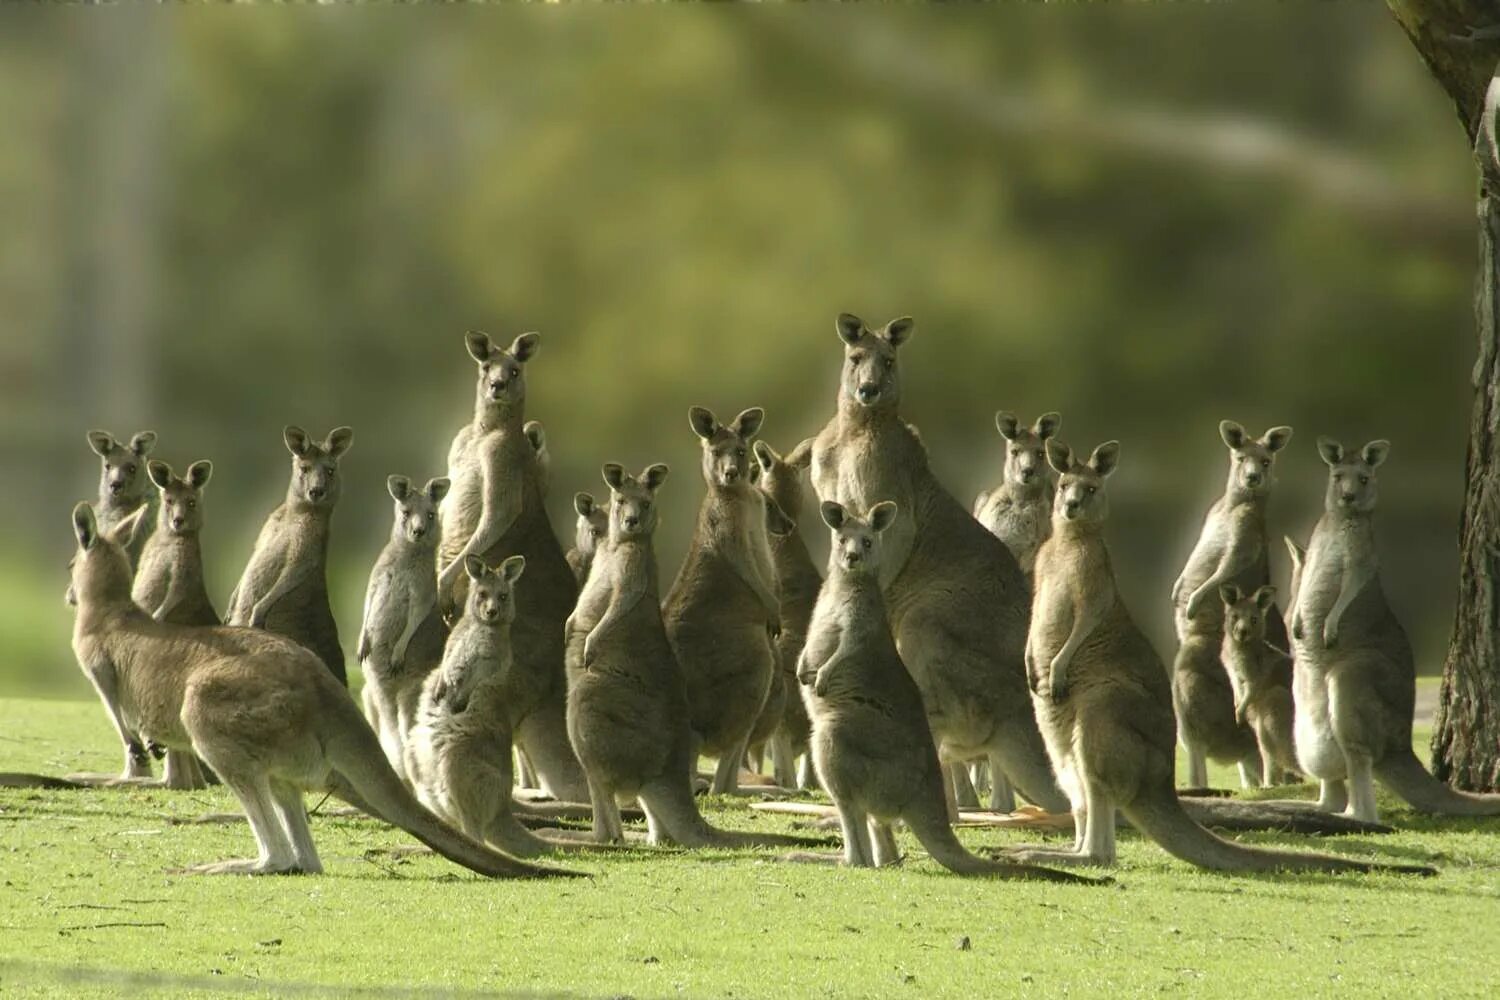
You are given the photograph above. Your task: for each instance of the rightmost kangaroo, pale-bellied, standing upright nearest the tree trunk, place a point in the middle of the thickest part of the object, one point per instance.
(1354, 668)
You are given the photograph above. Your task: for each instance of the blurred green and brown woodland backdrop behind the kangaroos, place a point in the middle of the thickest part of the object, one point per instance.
(223, 221)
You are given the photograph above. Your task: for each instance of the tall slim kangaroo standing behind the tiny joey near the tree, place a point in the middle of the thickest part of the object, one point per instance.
(1232, 549)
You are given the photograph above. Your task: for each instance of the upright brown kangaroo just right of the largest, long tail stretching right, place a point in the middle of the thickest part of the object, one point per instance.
(1105, 702)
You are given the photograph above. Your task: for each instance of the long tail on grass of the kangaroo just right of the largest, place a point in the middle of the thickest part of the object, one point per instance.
(1160, 816)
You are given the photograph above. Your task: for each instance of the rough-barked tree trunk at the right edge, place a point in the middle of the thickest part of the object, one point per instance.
(1460, 43)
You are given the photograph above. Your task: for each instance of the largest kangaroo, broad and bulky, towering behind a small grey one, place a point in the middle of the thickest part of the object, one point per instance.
(955, 594)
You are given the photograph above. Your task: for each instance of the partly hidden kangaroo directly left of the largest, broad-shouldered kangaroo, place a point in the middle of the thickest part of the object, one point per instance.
(797, 585)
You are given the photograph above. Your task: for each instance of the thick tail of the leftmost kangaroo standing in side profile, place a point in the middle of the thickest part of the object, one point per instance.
(364, 777)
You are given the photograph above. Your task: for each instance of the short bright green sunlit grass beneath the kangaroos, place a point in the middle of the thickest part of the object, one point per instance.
(88, 909)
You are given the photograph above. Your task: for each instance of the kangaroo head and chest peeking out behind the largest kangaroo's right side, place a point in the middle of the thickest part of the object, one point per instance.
(1019, 510)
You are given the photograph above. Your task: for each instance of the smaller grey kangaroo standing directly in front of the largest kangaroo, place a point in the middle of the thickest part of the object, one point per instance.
(872, 746)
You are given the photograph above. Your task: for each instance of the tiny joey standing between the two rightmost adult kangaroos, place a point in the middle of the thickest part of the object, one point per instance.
(1262, 678)
